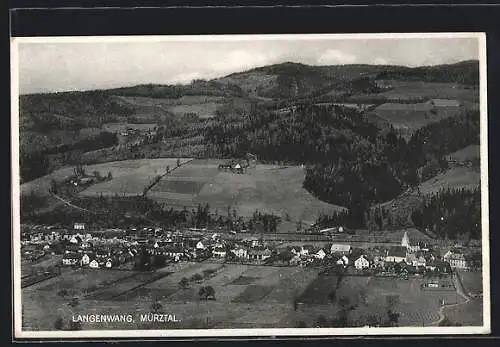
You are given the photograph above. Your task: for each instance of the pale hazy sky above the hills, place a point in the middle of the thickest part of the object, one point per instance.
(61, 66)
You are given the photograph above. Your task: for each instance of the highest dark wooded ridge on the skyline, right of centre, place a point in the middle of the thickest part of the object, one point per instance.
(292, 80)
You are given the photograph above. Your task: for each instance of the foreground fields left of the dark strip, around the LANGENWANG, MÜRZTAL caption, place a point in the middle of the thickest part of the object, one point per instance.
(283, 285)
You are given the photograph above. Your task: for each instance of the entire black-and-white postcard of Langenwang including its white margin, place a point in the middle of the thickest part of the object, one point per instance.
(250, 185)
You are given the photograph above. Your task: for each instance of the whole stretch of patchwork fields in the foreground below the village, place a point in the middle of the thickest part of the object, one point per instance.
(246, 295)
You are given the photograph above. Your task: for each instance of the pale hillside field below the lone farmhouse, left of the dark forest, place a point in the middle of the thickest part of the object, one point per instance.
(266, 188)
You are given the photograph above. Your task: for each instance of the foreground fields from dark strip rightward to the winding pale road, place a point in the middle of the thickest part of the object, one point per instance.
(372, 297)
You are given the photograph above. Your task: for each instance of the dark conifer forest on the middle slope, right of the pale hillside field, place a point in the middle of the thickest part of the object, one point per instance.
(350, 162)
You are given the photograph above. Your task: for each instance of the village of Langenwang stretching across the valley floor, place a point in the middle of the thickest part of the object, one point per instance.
(153, 248)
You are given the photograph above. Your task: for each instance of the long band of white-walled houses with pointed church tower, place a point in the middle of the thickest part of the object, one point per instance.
(81, 248)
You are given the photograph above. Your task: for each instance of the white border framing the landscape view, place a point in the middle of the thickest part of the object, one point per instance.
(195, 333)
